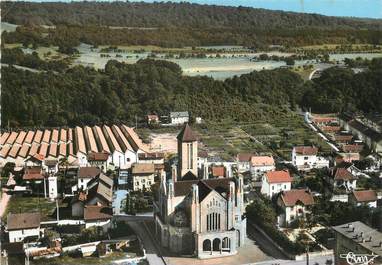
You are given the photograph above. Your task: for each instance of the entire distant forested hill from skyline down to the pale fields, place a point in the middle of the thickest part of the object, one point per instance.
(179, 24)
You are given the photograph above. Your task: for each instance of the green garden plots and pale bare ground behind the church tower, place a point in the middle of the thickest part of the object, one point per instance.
(226, 139)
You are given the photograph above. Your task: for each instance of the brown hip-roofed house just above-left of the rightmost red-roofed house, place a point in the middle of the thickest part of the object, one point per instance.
(341, 177)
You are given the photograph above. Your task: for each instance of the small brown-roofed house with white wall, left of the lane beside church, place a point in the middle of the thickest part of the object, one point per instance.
(100, 216)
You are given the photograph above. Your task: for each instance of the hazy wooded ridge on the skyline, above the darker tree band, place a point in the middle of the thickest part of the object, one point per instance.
(167, 14)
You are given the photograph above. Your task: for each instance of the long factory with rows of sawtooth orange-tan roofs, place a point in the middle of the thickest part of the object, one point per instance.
(120, 141)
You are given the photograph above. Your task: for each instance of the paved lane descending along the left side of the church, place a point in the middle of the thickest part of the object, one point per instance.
(151, 252)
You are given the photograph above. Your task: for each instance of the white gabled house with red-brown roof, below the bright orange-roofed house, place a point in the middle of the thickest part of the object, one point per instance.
(295, 204)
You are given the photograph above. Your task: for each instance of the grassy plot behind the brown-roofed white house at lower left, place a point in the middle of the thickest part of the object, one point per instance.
(30, 204)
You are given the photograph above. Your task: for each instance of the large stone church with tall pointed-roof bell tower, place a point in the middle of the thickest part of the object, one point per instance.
(195, 215)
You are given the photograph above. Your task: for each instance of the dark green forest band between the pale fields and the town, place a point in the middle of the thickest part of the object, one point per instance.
(81, 95)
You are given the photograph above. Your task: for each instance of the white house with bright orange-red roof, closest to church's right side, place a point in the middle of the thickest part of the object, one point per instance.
(275, 181)
